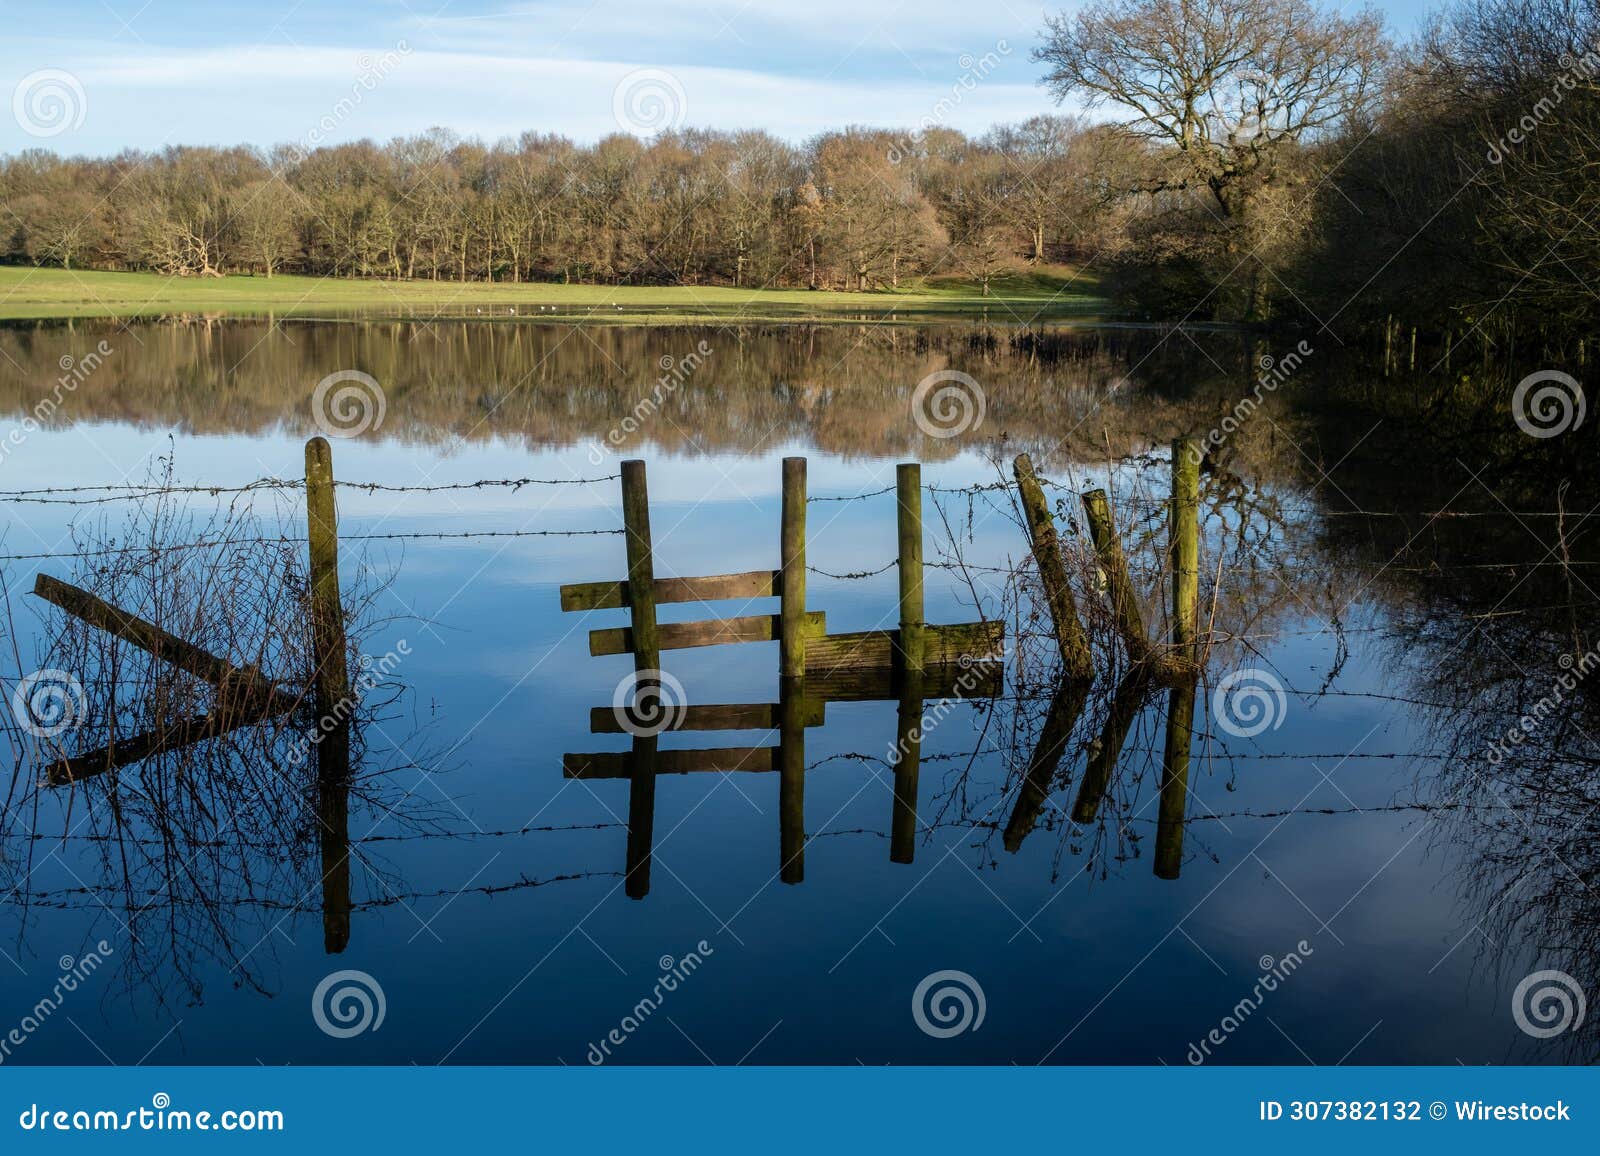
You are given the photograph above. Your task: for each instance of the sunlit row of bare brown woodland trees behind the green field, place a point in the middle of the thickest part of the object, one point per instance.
(857, 209)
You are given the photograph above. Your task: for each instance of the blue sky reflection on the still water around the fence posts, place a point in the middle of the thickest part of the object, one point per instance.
(1116, 969)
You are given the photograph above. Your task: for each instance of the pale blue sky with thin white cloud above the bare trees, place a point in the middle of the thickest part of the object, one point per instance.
(103, 76)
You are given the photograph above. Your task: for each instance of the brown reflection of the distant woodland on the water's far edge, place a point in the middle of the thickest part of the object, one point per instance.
(846, 388)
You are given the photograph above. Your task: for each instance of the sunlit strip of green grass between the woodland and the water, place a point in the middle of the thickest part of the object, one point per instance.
(41, 294)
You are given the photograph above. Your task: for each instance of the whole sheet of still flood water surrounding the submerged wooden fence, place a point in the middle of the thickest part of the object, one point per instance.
(1358, 873)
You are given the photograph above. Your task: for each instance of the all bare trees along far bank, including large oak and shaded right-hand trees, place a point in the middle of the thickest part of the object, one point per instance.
(1258, 161)
